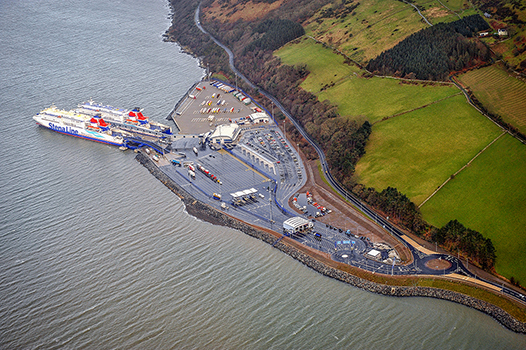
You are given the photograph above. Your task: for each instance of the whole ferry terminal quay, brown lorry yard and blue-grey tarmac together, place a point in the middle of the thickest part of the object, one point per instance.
(230, 155)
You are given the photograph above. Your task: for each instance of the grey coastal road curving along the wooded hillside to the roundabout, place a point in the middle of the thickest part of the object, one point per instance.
(420, 259)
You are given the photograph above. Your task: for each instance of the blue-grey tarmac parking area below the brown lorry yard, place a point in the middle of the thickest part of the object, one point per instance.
(240, 182)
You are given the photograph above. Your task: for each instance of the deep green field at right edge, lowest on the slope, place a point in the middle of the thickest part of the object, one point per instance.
(490, 196)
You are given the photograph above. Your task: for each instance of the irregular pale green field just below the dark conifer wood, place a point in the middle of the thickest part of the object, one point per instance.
(358, 97)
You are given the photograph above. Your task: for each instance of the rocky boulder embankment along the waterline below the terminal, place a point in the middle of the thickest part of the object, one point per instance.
(209, 214)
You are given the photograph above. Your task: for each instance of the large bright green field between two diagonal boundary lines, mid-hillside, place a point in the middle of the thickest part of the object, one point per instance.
(418, 151)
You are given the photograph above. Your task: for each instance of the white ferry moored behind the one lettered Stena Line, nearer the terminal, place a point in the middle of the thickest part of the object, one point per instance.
(132, 121)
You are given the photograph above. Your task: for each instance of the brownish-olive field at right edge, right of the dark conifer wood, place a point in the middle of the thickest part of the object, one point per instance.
(500, 93)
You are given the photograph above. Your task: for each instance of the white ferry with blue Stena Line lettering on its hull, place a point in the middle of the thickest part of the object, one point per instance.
(83, 126)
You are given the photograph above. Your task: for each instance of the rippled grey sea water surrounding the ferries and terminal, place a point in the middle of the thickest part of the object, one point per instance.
(95, 253)
